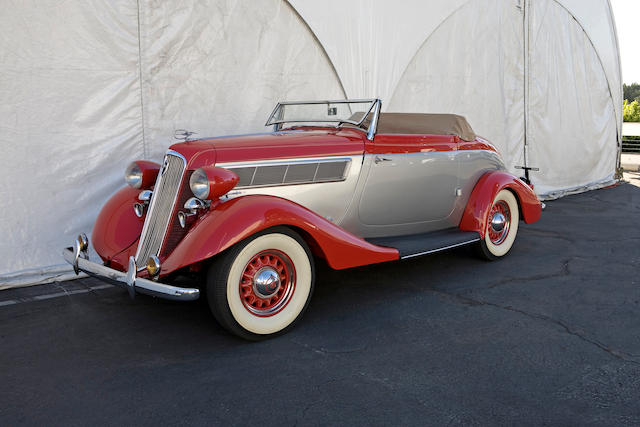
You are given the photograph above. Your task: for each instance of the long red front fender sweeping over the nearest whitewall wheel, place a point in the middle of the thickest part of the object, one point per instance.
(234, 220)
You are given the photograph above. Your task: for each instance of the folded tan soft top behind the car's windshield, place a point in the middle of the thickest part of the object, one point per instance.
(419, 123)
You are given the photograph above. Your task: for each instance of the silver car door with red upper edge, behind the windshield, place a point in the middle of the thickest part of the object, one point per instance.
(412, 179)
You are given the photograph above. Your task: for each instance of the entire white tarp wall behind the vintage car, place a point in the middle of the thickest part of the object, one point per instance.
(88, 86)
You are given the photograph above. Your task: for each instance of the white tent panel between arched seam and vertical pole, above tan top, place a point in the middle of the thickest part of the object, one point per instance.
(472, 65)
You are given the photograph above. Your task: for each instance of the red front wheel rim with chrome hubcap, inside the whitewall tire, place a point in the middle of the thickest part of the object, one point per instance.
(267, 283)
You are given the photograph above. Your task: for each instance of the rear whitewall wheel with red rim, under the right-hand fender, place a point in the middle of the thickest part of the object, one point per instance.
(502, 226)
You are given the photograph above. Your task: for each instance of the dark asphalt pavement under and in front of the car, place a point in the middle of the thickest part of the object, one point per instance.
(548, 335)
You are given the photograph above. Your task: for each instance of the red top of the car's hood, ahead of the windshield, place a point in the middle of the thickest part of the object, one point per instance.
(287, 144)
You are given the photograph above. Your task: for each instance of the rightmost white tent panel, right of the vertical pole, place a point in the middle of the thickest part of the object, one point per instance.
(572, 116)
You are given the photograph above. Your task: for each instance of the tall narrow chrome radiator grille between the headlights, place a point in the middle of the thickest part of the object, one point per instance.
(161, 207)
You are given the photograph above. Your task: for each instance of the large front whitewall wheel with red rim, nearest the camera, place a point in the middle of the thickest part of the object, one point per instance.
(261, 286)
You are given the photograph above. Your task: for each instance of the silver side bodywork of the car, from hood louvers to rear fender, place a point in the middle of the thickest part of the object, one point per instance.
(400, 194)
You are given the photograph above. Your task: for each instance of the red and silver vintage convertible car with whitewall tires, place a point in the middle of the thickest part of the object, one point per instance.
(335, 180)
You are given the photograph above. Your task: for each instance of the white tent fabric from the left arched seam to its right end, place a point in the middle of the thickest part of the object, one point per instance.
(556, 59)
